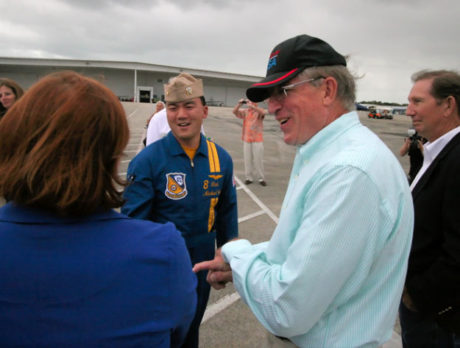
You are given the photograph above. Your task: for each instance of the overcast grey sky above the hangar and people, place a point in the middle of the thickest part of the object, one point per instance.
(387, 40)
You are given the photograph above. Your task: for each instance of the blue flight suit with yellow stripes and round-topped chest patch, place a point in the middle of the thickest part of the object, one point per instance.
(197, 195)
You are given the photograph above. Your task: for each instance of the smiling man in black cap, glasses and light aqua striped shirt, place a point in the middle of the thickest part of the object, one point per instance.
(333, 272)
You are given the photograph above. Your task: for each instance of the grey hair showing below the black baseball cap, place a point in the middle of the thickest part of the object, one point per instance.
(346, 87)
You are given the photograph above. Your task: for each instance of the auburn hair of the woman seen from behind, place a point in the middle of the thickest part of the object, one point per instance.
(61, 144)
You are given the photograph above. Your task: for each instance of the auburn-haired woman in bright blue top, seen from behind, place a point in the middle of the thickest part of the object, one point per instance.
(74, 272)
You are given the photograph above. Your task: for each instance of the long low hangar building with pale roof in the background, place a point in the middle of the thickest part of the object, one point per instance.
(140, 82)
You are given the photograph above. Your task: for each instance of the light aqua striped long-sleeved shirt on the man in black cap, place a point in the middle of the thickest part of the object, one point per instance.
(333, 272)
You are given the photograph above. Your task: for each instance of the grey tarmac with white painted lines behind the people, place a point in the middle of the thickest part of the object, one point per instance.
(228, 322)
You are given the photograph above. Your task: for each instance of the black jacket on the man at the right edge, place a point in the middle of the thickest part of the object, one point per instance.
(433, 278)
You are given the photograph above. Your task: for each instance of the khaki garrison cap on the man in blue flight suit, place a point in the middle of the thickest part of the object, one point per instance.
(183, 87)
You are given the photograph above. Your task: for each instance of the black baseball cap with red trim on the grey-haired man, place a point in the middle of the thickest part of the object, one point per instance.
(290, 58)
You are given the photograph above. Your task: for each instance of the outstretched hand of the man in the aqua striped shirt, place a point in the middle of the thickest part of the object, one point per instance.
(219, 273)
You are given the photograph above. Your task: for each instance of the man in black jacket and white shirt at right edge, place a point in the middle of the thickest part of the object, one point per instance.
(430, 309)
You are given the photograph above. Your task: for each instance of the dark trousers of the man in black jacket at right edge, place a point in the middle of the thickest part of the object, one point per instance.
(419, 331)
